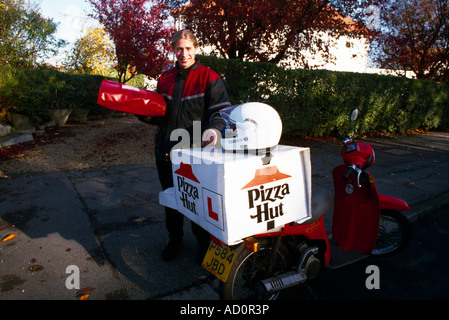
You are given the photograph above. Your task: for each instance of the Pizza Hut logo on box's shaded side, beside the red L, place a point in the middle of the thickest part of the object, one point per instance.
(188, 191)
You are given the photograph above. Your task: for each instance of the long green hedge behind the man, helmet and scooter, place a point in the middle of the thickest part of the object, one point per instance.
(318, 102)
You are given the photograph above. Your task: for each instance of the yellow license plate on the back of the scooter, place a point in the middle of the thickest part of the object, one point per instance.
(218, 260)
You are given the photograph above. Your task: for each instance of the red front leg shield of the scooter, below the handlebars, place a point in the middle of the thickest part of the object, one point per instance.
(356, 216)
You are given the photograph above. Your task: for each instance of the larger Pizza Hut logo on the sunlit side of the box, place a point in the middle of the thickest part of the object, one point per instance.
(266, 195)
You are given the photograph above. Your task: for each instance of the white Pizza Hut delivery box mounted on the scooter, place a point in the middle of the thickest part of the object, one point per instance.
(236, 195)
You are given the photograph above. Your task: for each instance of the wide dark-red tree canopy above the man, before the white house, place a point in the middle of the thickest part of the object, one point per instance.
(271, 30)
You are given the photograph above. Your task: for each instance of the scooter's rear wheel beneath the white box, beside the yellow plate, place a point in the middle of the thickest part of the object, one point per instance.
(250, 268)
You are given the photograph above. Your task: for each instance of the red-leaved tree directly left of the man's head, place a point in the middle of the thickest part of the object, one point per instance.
(139, 33)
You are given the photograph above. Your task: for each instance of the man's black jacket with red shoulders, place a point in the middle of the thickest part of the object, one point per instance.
(194, 94)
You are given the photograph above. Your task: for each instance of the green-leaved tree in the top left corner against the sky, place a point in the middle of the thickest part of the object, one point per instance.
(25, 35)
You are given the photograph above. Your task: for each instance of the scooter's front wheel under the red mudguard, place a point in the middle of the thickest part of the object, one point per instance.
(394, 234)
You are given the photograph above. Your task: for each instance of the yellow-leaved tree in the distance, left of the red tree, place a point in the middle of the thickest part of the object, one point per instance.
(93, 53)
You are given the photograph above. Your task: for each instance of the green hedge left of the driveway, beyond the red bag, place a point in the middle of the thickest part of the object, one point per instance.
(34, 91)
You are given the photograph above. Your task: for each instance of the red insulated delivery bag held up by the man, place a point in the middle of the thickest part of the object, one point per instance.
(118, 96)
